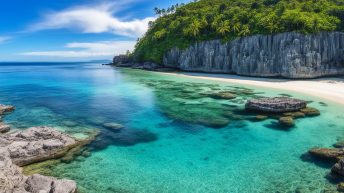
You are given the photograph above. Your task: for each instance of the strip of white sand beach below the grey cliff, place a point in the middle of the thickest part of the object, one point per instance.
(331, 89)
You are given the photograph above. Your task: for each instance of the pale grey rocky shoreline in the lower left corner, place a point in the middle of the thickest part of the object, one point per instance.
(33, 145)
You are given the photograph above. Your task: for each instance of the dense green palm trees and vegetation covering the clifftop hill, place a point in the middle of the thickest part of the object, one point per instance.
(182, 25)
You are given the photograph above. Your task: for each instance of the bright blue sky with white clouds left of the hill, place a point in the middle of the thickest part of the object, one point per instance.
(73, 30)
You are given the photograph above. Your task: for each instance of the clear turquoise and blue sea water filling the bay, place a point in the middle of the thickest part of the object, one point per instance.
(168, 144)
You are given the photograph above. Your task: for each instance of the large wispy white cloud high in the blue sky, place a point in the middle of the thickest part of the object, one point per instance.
(93, 19)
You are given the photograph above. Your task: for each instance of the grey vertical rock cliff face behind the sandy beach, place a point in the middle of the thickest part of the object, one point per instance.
(290, 55)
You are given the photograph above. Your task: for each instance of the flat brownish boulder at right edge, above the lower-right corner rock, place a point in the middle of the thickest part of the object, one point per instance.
(328, 154)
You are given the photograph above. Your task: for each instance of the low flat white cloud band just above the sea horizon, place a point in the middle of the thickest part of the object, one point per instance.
(88, 50)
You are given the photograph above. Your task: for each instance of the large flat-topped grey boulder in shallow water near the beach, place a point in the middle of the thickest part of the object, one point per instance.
(275, 105)
